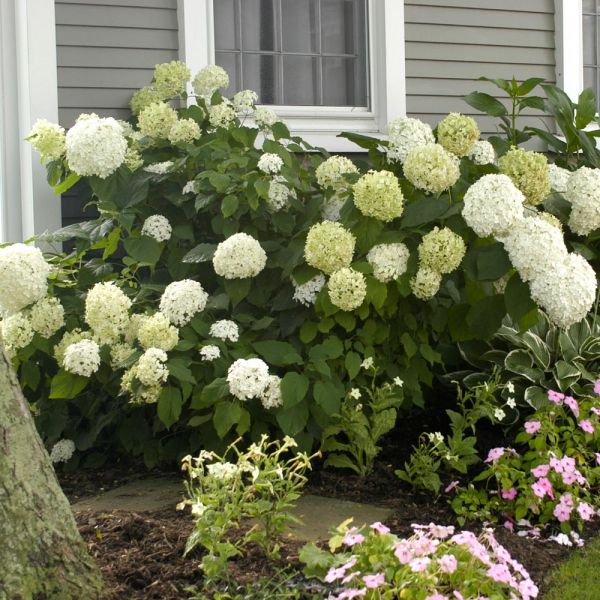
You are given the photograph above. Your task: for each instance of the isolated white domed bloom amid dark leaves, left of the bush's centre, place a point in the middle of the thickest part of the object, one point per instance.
(239, 256)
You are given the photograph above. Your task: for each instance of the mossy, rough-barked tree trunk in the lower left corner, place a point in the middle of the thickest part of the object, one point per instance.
(42, 555)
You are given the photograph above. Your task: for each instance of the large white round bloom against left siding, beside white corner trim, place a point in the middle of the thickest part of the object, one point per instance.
(95, 146)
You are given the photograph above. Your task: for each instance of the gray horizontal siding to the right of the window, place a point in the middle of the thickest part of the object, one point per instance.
(450, 43)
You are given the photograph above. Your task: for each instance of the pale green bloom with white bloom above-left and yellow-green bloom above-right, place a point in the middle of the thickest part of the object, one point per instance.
(431, 168)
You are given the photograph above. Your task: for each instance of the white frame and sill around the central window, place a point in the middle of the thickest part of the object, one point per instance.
(320, 125)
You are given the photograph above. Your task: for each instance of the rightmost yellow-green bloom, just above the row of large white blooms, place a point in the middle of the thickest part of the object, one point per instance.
(529, 172)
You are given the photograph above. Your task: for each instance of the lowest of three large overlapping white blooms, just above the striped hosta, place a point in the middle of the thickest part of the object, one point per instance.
(567, 291)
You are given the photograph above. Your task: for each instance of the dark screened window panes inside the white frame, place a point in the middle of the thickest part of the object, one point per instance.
(295, 52)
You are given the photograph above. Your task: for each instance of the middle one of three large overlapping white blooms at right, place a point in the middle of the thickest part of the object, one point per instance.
(534, 247)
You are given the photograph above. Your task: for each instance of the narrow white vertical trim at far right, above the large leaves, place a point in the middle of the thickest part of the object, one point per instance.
(569, 46)
